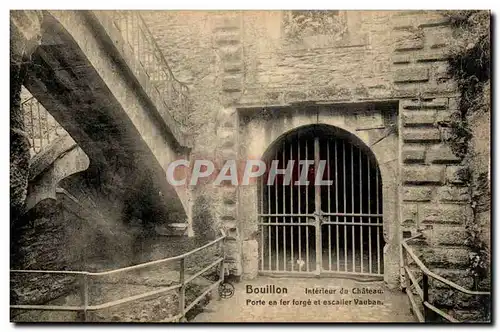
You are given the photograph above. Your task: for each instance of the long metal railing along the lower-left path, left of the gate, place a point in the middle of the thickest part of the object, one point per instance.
(84, 307)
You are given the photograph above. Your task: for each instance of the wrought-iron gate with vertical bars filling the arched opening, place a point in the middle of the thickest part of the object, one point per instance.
(356, 215)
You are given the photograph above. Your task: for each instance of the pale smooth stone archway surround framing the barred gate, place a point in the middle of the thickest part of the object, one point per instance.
(258, 136)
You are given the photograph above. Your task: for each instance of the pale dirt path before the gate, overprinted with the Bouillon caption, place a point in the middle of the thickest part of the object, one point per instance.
(294, 306)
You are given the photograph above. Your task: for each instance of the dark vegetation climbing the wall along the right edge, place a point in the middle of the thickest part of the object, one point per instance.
(469, 65)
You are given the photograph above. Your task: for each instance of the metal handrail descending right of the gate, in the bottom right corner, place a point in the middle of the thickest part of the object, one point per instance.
(423, 292)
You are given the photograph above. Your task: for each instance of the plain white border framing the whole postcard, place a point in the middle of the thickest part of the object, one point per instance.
(189, 4)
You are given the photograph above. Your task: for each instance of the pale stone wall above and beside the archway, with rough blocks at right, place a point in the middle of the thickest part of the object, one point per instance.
(397, 56)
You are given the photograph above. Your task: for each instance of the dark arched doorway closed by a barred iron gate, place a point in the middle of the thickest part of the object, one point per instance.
(329, 227)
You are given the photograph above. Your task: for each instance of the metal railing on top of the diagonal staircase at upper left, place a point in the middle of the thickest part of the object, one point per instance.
(138, 37)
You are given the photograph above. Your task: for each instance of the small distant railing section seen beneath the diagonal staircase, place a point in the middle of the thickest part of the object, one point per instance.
(41, 127)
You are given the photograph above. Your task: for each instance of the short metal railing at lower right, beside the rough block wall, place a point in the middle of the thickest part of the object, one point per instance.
(411, 284)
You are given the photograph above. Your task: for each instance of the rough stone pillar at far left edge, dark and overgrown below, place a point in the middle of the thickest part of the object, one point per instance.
(25, 36)
